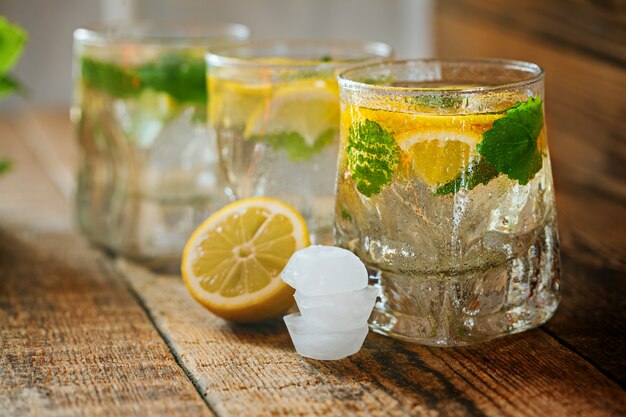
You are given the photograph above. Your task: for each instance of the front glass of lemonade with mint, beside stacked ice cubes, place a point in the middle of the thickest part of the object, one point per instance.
(445, 191)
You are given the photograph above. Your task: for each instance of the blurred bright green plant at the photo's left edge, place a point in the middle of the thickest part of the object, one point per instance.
(12, 41)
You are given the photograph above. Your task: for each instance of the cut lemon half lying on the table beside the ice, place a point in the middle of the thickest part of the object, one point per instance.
(231, 263)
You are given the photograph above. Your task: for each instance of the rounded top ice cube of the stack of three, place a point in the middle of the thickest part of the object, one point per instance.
(322, 270)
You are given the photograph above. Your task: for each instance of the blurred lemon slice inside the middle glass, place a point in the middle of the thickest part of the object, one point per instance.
(308, 108)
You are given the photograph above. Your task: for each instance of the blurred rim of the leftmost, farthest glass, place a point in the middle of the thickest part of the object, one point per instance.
(159, 32)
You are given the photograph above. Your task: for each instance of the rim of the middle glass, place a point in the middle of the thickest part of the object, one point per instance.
(373, 50)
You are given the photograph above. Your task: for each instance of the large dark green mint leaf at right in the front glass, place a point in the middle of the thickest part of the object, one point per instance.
(510, 146)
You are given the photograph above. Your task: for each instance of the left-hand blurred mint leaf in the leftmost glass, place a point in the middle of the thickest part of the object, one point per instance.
(109, 78)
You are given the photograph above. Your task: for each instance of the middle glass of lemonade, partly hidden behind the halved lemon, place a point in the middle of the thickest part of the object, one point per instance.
(275, 108)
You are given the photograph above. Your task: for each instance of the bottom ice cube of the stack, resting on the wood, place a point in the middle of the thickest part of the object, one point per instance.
(318, 343)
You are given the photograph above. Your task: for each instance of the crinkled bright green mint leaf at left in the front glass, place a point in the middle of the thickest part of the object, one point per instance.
(372, 156)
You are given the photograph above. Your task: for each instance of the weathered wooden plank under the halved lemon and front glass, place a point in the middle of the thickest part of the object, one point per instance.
(254, 370)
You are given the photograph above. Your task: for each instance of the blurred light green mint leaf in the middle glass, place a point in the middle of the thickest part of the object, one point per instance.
(294, 144)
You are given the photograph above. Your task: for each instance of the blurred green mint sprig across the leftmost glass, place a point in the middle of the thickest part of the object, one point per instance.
(178, 74)
